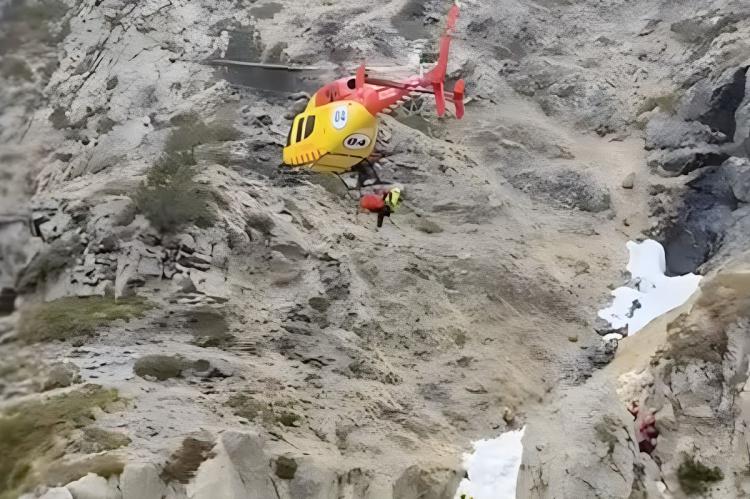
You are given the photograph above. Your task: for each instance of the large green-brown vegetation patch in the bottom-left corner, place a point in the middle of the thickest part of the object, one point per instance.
(29, 432)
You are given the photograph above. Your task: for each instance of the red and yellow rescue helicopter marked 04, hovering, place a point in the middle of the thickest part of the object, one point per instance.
(337, 131)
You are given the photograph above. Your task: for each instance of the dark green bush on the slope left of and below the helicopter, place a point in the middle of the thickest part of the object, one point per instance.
(171, 198)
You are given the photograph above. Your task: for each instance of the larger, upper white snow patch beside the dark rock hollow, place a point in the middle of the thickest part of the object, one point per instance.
(649, 293)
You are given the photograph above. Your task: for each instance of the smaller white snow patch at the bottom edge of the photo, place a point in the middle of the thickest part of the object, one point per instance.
(493, 468)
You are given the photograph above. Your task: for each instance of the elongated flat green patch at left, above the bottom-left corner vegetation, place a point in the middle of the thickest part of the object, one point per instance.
(75, 317)
